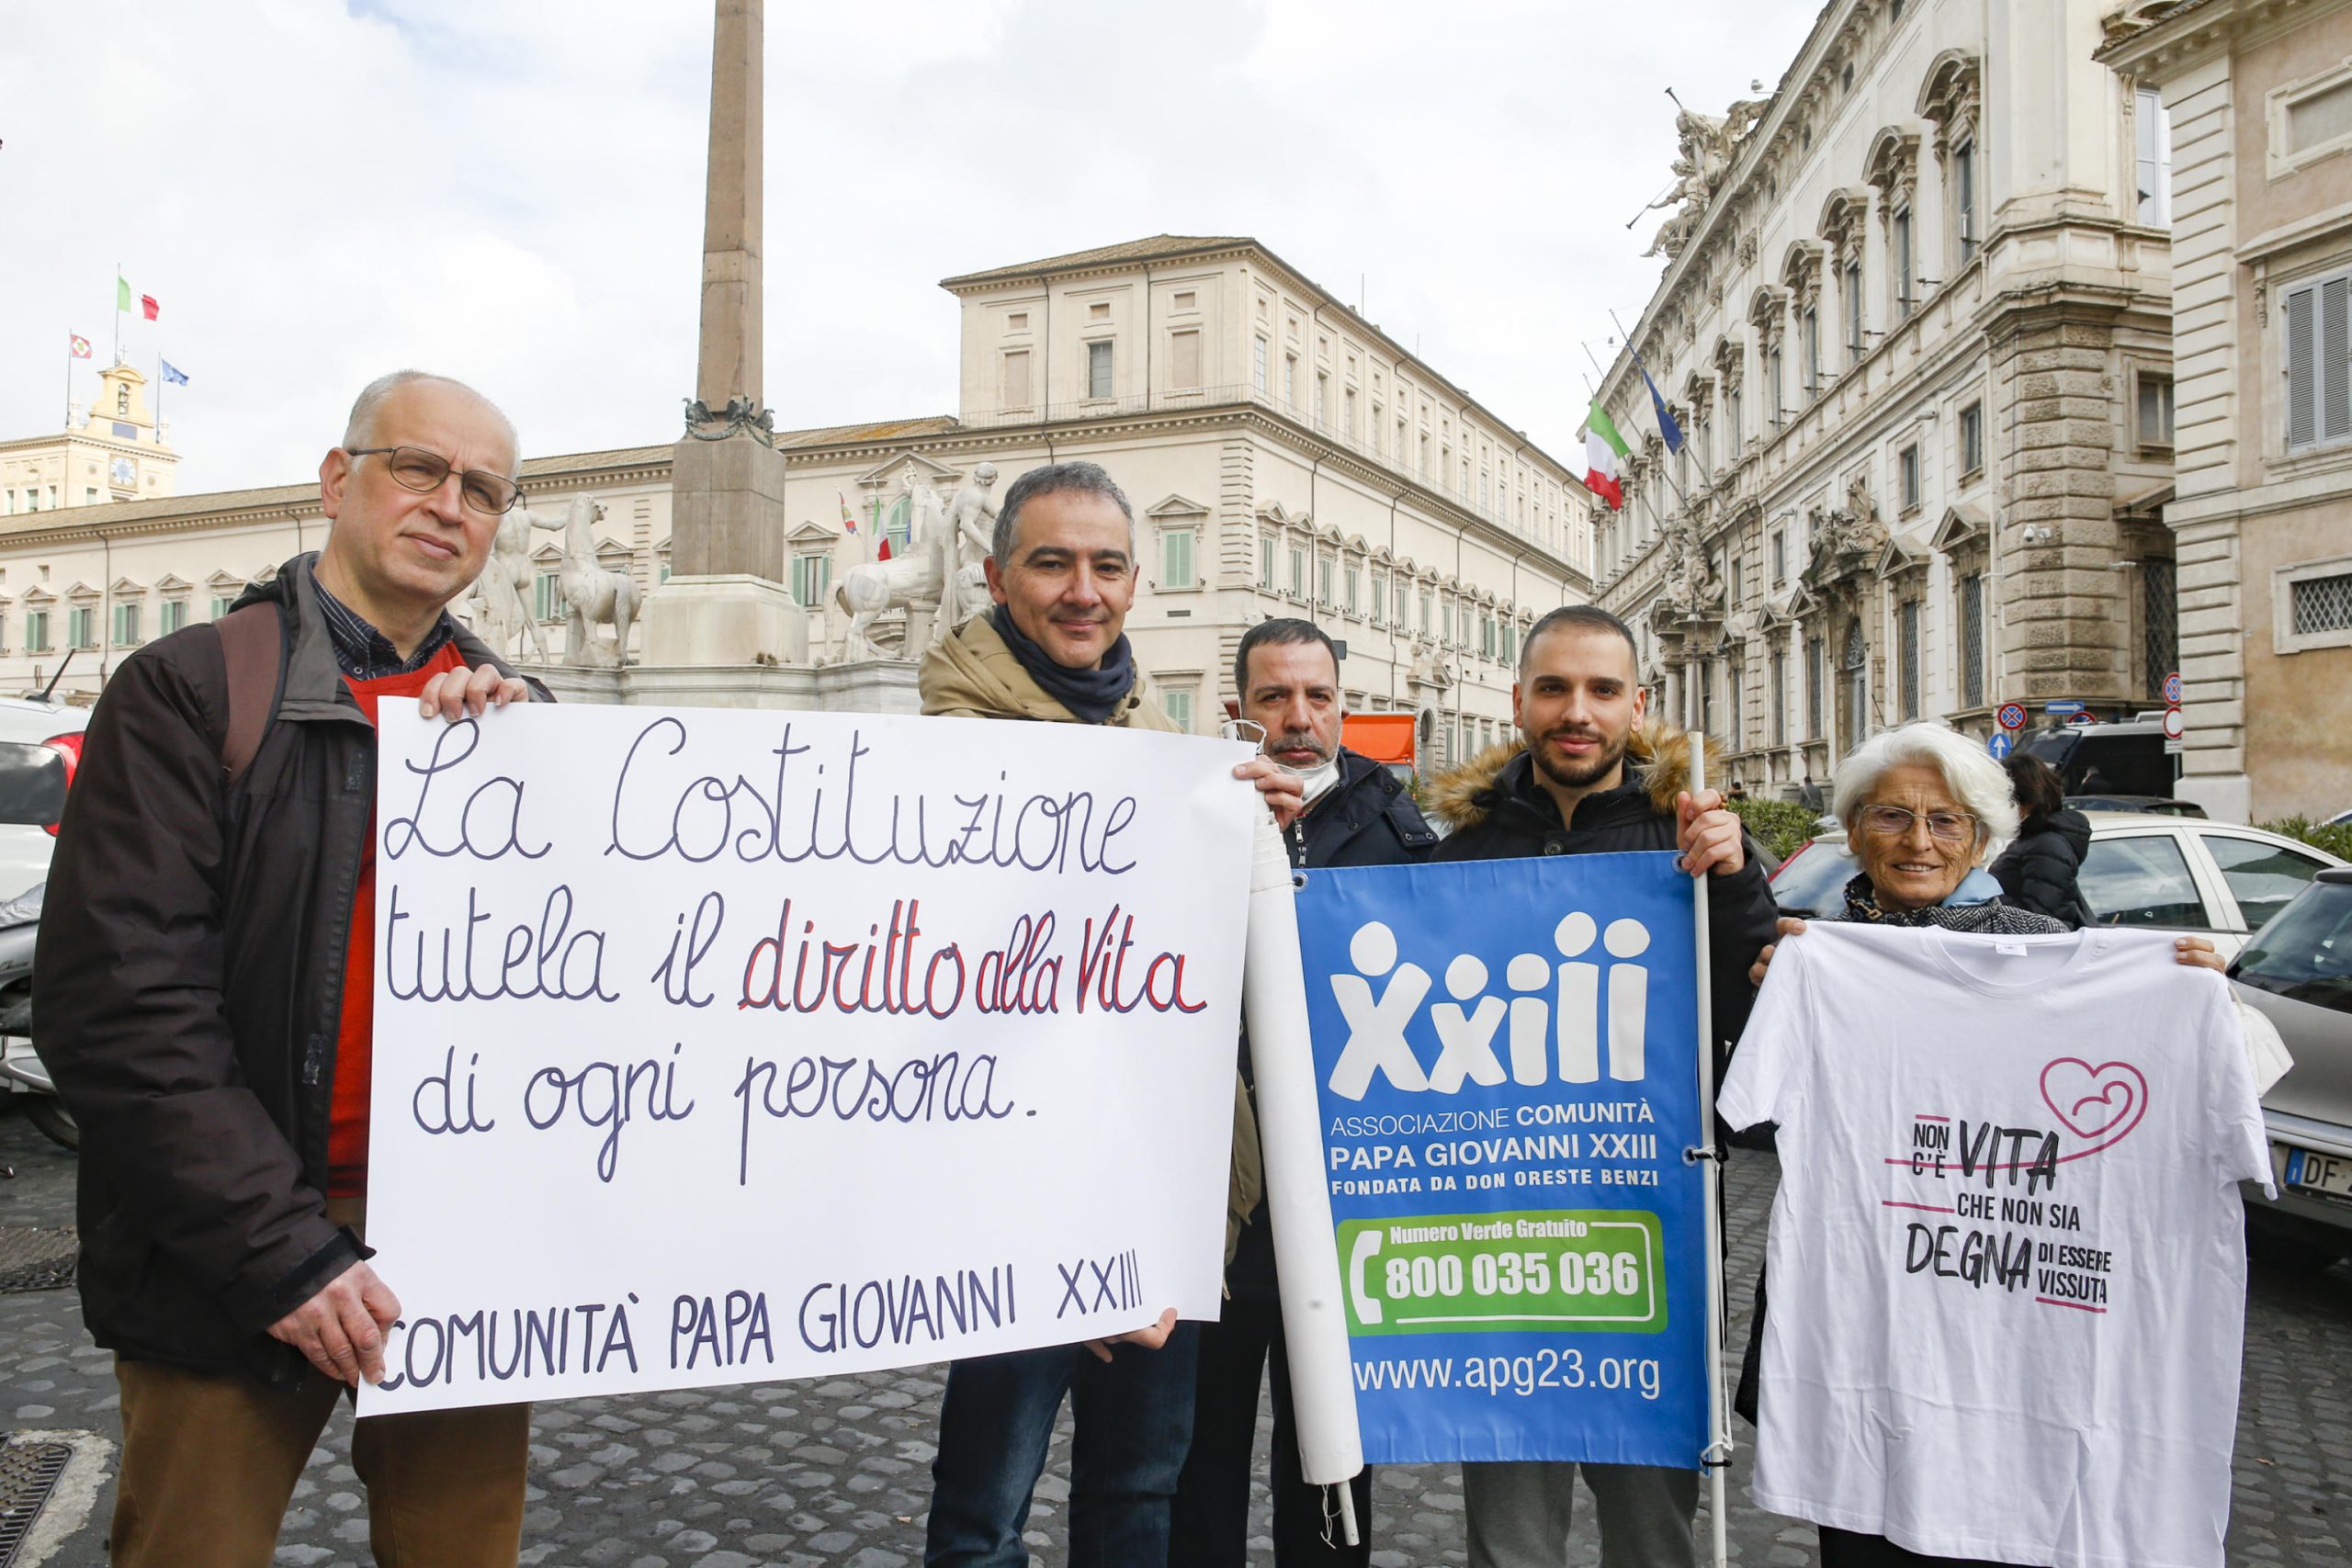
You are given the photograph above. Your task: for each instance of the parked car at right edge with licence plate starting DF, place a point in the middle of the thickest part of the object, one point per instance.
(2299, 974)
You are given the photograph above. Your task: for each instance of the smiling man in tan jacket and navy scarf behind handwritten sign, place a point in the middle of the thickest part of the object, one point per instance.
(1062, 572)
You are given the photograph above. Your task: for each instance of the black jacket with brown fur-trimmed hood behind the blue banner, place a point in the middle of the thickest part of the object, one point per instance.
(1499, 812)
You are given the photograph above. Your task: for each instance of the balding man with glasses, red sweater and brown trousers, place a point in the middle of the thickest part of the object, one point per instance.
(208, 981)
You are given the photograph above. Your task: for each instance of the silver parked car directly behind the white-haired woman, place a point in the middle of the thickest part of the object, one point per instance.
(2163, 873)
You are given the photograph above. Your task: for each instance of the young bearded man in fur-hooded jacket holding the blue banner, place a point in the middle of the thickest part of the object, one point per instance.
(1591, 777)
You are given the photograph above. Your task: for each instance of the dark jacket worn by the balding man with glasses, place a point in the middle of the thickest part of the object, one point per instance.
(192, 991)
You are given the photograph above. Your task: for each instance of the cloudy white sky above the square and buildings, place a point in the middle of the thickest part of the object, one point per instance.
(512, 189)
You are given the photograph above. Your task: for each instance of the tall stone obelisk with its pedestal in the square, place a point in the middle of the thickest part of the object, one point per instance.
(728, 603)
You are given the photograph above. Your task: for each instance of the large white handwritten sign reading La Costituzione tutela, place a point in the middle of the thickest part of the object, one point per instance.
(726, 1047)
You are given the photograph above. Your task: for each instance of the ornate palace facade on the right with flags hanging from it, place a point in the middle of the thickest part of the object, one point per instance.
(1916, 326)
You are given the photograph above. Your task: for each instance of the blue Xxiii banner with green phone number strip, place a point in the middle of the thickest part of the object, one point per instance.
(1509, 1071)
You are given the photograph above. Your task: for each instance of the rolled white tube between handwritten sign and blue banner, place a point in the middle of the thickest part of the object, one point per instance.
(1299, 1205)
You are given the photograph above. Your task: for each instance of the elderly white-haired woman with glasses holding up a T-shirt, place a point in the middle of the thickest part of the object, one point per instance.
(1923, 805)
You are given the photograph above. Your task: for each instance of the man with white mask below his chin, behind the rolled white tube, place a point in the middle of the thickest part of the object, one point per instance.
(1358, 815)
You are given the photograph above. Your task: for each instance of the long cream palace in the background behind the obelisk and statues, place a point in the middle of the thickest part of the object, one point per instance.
(1283, 455)
